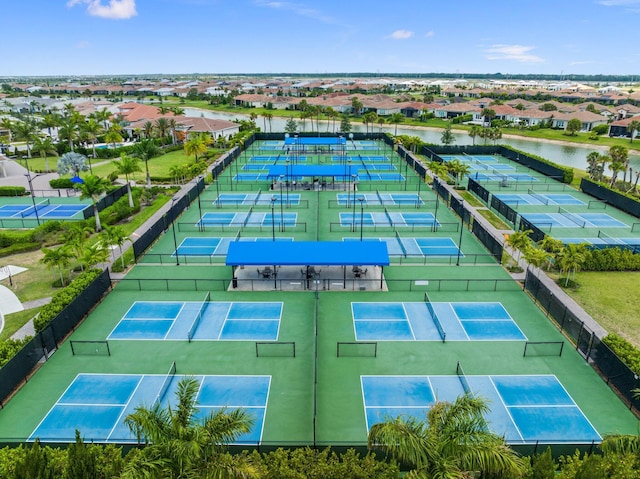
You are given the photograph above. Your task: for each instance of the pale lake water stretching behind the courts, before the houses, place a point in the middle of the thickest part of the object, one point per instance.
(574, 156)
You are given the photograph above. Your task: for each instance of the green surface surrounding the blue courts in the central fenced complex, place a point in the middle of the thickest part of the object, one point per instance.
(316, 397)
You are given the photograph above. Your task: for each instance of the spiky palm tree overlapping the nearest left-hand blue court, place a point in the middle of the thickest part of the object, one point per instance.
(179, 445)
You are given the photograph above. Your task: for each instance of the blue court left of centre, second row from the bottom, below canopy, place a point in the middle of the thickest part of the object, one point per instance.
(200, 321)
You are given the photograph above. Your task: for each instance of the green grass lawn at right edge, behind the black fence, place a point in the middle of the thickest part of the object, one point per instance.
(612, 299)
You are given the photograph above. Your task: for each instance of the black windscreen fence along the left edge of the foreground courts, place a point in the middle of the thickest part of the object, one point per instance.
(20, 367)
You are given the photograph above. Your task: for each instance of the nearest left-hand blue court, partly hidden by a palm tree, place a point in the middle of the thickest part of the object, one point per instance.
(97, 404)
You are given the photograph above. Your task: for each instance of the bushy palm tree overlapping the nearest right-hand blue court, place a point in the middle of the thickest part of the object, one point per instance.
(450, 442)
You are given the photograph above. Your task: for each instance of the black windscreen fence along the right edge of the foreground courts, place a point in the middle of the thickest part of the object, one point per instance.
(614, 371)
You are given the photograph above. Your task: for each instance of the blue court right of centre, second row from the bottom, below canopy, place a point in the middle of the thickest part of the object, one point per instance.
(434, 322)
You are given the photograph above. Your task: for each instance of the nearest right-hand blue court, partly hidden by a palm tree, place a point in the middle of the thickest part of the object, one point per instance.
(523, 409)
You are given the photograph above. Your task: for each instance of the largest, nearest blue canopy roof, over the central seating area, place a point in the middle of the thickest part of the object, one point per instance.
(308, 253)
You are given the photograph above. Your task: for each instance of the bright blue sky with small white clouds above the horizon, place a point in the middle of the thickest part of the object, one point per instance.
(102, 37)
